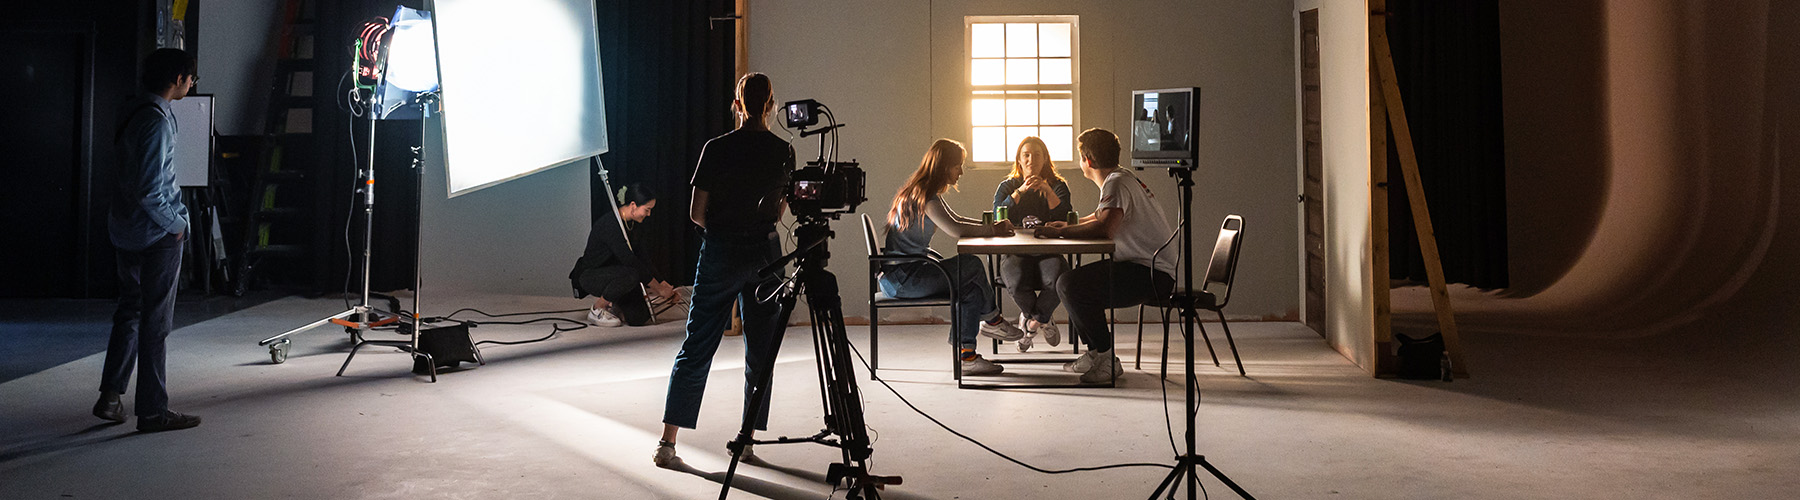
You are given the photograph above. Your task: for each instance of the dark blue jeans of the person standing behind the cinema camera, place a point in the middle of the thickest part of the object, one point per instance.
(726, 274)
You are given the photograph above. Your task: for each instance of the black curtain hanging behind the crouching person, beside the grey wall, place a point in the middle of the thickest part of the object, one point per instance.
(669, 73)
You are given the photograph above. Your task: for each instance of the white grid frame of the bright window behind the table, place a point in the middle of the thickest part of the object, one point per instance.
(969, 87)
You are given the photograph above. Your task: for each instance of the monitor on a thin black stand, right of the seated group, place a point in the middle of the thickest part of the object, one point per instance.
(1162, 130)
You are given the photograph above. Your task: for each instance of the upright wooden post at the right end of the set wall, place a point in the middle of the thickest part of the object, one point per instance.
(1383, 361)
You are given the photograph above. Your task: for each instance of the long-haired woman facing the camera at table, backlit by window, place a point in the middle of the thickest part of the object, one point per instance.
(1034, 193)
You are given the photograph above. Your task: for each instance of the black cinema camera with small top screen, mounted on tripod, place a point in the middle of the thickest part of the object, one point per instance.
(823, 188)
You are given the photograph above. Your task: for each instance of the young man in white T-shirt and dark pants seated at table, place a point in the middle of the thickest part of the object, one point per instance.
(1131, 217)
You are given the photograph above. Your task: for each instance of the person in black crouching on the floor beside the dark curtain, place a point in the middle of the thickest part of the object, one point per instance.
(616, 276)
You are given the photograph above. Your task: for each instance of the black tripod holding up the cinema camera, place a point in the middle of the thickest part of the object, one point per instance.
(838, 384)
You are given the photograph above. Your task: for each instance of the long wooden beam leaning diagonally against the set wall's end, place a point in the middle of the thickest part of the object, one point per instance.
(1416, 192)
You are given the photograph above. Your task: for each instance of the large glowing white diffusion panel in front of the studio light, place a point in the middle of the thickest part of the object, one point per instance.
(521, 89)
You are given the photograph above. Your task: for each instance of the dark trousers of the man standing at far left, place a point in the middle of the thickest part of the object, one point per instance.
(143, 323)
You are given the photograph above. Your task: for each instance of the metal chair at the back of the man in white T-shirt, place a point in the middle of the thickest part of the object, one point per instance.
(1221, 272)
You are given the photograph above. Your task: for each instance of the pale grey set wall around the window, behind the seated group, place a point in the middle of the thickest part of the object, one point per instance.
(895, 73)
